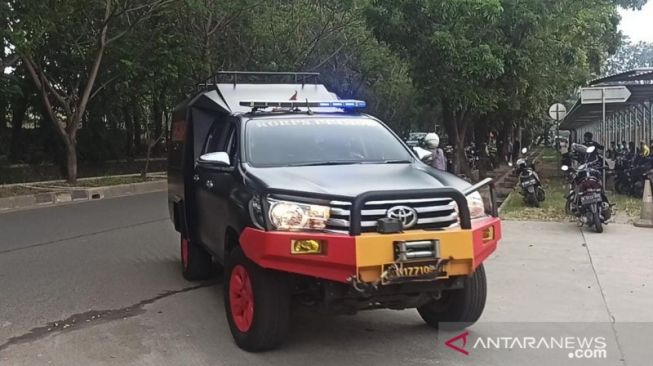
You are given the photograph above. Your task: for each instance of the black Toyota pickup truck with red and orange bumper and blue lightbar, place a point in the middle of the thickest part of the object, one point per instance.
(301, 198)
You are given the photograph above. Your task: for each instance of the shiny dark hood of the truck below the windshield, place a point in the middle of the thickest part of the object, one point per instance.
(352, 180)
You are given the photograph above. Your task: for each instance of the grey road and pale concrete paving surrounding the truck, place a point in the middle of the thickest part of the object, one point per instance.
(99, 283)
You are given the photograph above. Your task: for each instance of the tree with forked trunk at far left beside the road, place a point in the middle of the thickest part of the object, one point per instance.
(65, 65)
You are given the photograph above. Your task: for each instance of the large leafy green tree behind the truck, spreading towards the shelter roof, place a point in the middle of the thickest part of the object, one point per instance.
(496, 63)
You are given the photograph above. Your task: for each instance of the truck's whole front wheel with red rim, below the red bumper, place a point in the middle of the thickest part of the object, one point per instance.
(257, 304)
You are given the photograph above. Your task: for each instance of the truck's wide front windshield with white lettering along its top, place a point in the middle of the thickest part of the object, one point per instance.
(321, 141)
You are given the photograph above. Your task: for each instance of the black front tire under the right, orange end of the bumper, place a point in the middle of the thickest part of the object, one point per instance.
(462, 307)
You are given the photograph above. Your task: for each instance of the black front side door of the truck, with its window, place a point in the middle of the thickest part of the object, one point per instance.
(214, 184)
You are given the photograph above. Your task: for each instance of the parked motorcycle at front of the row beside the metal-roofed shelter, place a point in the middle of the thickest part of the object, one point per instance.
(586, 198)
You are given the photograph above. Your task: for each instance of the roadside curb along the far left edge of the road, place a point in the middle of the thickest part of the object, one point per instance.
(80, 195)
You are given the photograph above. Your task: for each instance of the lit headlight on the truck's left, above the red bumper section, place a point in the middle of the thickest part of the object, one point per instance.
(286, 215)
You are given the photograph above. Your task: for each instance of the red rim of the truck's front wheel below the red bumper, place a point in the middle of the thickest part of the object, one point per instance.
(241, 298)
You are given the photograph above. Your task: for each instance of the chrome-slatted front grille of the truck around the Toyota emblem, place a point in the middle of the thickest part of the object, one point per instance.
(432, 213)
